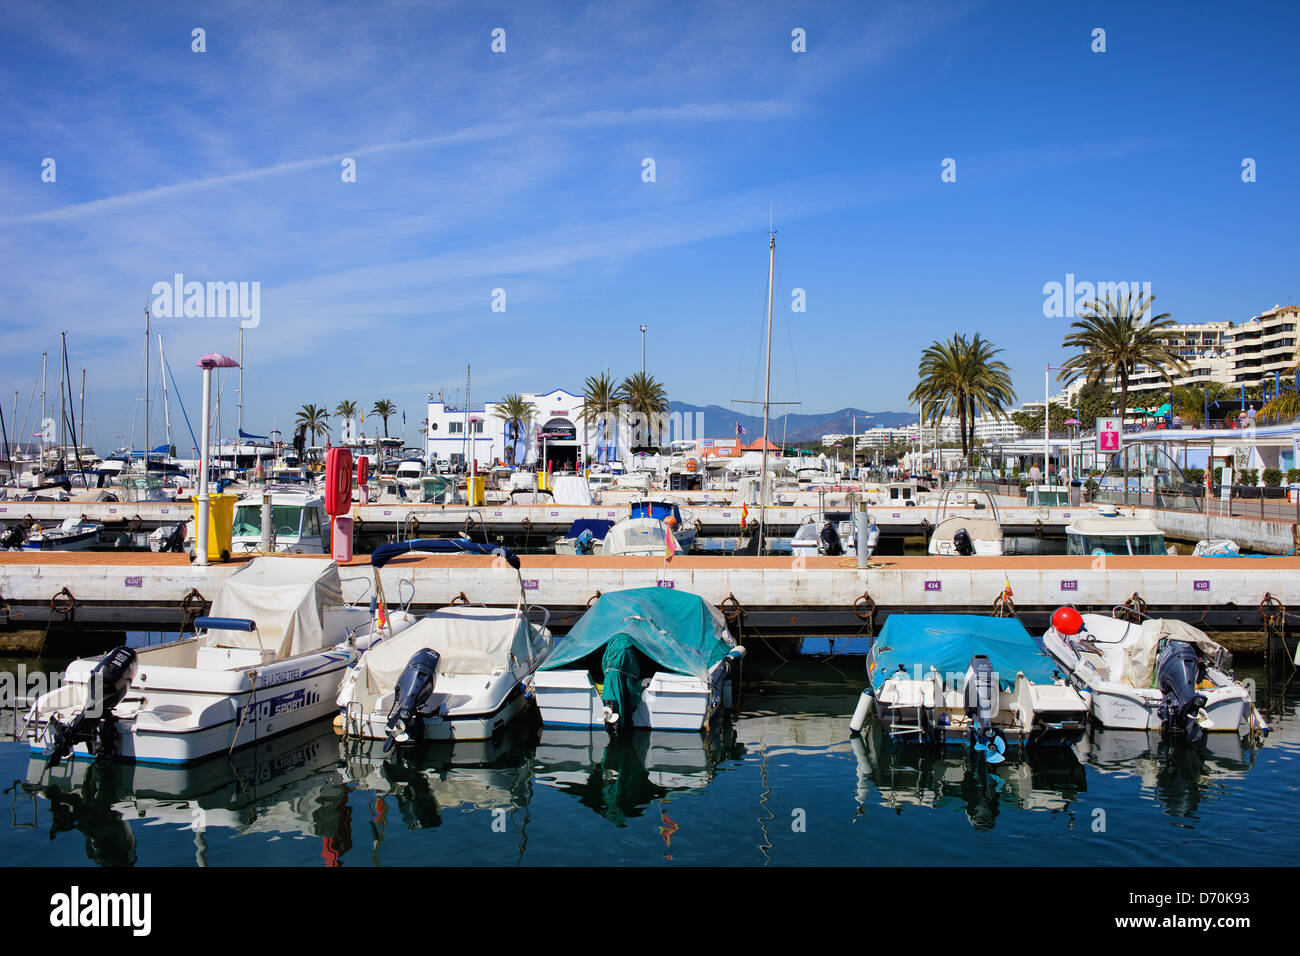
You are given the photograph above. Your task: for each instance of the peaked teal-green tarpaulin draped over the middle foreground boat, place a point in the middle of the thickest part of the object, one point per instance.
(679, 631)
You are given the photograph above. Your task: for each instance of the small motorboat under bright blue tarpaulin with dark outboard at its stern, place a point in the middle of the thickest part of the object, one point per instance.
(963, 680)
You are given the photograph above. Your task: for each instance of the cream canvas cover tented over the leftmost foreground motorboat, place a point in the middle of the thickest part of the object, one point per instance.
(287, 598)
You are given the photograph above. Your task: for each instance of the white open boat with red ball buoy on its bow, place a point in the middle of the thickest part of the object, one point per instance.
(1123, 669)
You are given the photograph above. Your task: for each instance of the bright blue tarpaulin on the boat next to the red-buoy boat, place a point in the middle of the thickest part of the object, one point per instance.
(948, 642)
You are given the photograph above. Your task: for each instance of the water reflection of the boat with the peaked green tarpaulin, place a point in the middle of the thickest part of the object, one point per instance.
(621, 776)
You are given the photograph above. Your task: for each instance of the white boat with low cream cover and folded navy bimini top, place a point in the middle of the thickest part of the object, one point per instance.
(458, 674)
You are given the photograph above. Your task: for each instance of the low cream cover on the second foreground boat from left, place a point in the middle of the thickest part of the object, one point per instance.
(469, 641)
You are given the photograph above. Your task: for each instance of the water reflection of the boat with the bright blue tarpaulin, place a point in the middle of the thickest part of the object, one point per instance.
(900, 776)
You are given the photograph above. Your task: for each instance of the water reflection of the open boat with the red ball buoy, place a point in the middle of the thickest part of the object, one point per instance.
(1177, 773)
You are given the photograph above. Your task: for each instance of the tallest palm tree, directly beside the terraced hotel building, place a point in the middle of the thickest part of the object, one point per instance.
(1113, 338)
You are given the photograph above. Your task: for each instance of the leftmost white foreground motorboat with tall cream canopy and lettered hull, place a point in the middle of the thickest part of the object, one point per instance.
(268, 660)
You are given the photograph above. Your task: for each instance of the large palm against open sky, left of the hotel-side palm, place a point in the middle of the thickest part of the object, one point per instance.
(963, 378)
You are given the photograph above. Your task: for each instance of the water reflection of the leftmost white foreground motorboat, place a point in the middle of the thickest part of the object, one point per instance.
(284, 786)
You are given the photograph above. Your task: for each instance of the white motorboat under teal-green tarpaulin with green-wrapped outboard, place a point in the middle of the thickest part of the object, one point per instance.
(648, 657)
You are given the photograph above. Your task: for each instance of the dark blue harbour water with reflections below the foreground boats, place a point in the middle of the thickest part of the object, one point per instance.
(783, 784)
